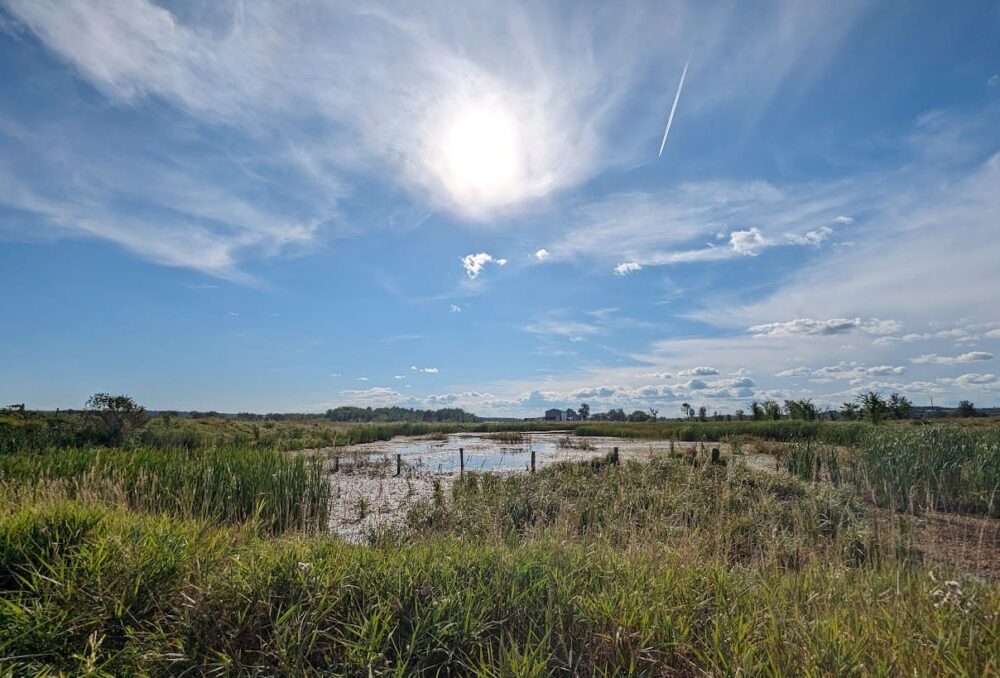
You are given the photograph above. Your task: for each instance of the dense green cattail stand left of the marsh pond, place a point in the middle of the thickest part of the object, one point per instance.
(277, 490)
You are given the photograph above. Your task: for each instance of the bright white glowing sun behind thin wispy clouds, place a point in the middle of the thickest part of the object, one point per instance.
(480, 157)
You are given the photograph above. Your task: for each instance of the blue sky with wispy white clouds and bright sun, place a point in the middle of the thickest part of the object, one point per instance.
(290, 206)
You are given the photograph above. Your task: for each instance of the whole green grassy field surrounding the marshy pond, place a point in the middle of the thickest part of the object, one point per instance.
(213, 557)
